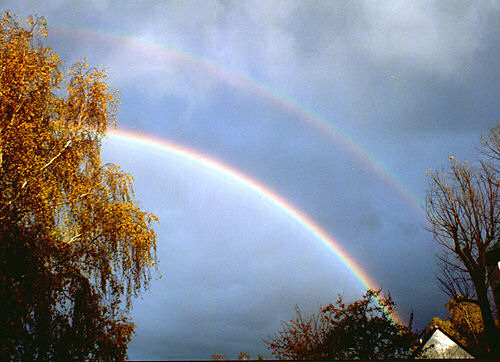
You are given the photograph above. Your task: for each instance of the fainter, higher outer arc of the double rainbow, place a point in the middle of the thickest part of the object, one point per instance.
(242, 81)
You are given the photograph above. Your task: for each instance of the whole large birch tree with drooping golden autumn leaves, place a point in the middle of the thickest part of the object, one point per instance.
(75, 247)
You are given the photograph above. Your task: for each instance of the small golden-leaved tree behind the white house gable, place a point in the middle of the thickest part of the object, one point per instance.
(465, 324)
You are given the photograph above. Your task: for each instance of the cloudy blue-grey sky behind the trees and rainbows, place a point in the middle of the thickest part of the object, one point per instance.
(336, 107)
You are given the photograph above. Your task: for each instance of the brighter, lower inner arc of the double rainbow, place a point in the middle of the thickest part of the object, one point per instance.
(164, 147)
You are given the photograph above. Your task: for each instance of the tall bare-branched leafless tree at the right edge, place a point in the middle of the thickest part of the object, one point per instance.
(463, 210)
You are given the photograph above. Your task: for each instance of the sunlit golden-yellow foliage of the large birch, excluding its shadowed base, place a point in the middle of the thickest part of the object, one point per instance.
(52, 181)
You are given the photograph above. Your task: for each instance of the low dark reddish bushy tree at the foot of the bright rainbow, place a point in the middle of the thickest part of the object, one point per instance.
(363, 329)
